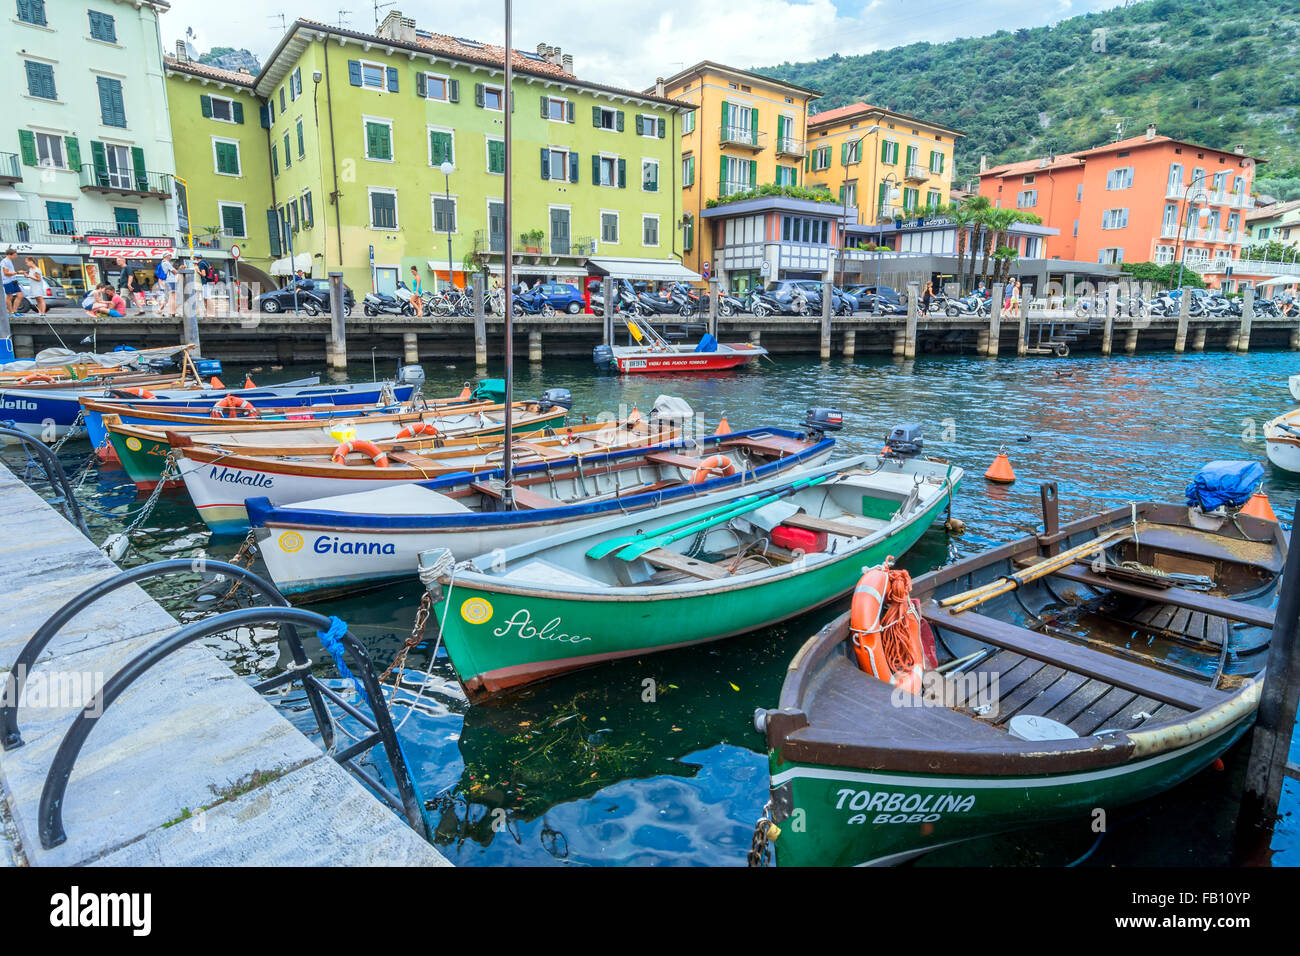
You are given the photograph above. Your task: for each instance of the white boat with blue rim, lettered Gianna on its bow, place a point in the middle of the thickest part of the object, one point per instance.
(366, 539)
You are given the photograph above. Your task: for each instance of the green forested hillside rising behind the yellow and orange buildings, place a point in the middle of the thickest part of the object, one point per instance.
(1217, 72)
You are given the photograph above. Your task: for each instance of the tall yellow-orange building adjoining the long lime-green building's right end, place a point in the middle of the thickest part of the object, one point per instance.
(748, 131)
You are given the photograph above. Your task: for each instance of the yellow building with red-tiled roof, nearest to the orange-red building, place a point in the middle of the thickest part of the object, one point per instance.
(887, 165)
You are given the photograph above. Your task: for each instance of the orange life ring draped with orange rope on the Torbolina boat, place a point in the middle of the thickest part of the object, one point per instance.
(886, 629)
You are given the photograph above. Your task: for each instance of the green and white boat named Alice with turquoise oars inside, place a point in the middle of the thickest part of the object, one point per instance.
(688, 573)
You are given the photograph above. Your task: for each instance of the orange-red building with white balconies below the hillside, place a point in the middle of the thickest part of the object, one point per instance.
(1149, 198)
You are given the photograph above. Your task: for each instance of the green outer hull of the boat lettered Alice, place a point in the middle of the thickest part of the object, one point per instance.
(502, 637)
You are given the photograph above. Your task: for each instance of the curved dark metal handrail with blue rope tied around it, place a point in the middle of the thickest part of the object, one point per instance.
(406, 801)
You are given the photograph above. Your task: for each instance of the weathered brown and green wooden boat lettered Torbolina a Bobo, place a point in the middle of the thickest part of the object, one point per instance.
(1090, 685)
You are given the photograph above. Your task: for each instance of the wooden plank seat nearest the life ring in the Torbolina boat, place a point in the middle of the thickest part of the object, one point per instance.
(1116, 672)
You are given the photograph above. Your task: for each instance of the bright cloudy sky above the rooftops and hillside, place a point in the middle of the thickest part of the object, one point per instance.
(631, 42)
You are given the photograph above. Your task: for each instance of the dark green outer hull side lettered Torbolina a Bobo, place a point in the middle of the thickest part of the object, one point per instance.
(855, 817)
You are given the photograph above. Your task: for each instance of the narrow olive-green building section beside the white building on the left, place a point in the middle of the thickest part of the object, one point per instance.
(223, 155)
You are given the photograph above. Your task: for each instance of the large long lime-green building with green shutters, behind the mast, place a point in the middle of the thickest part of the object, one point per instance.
(361, 127)
